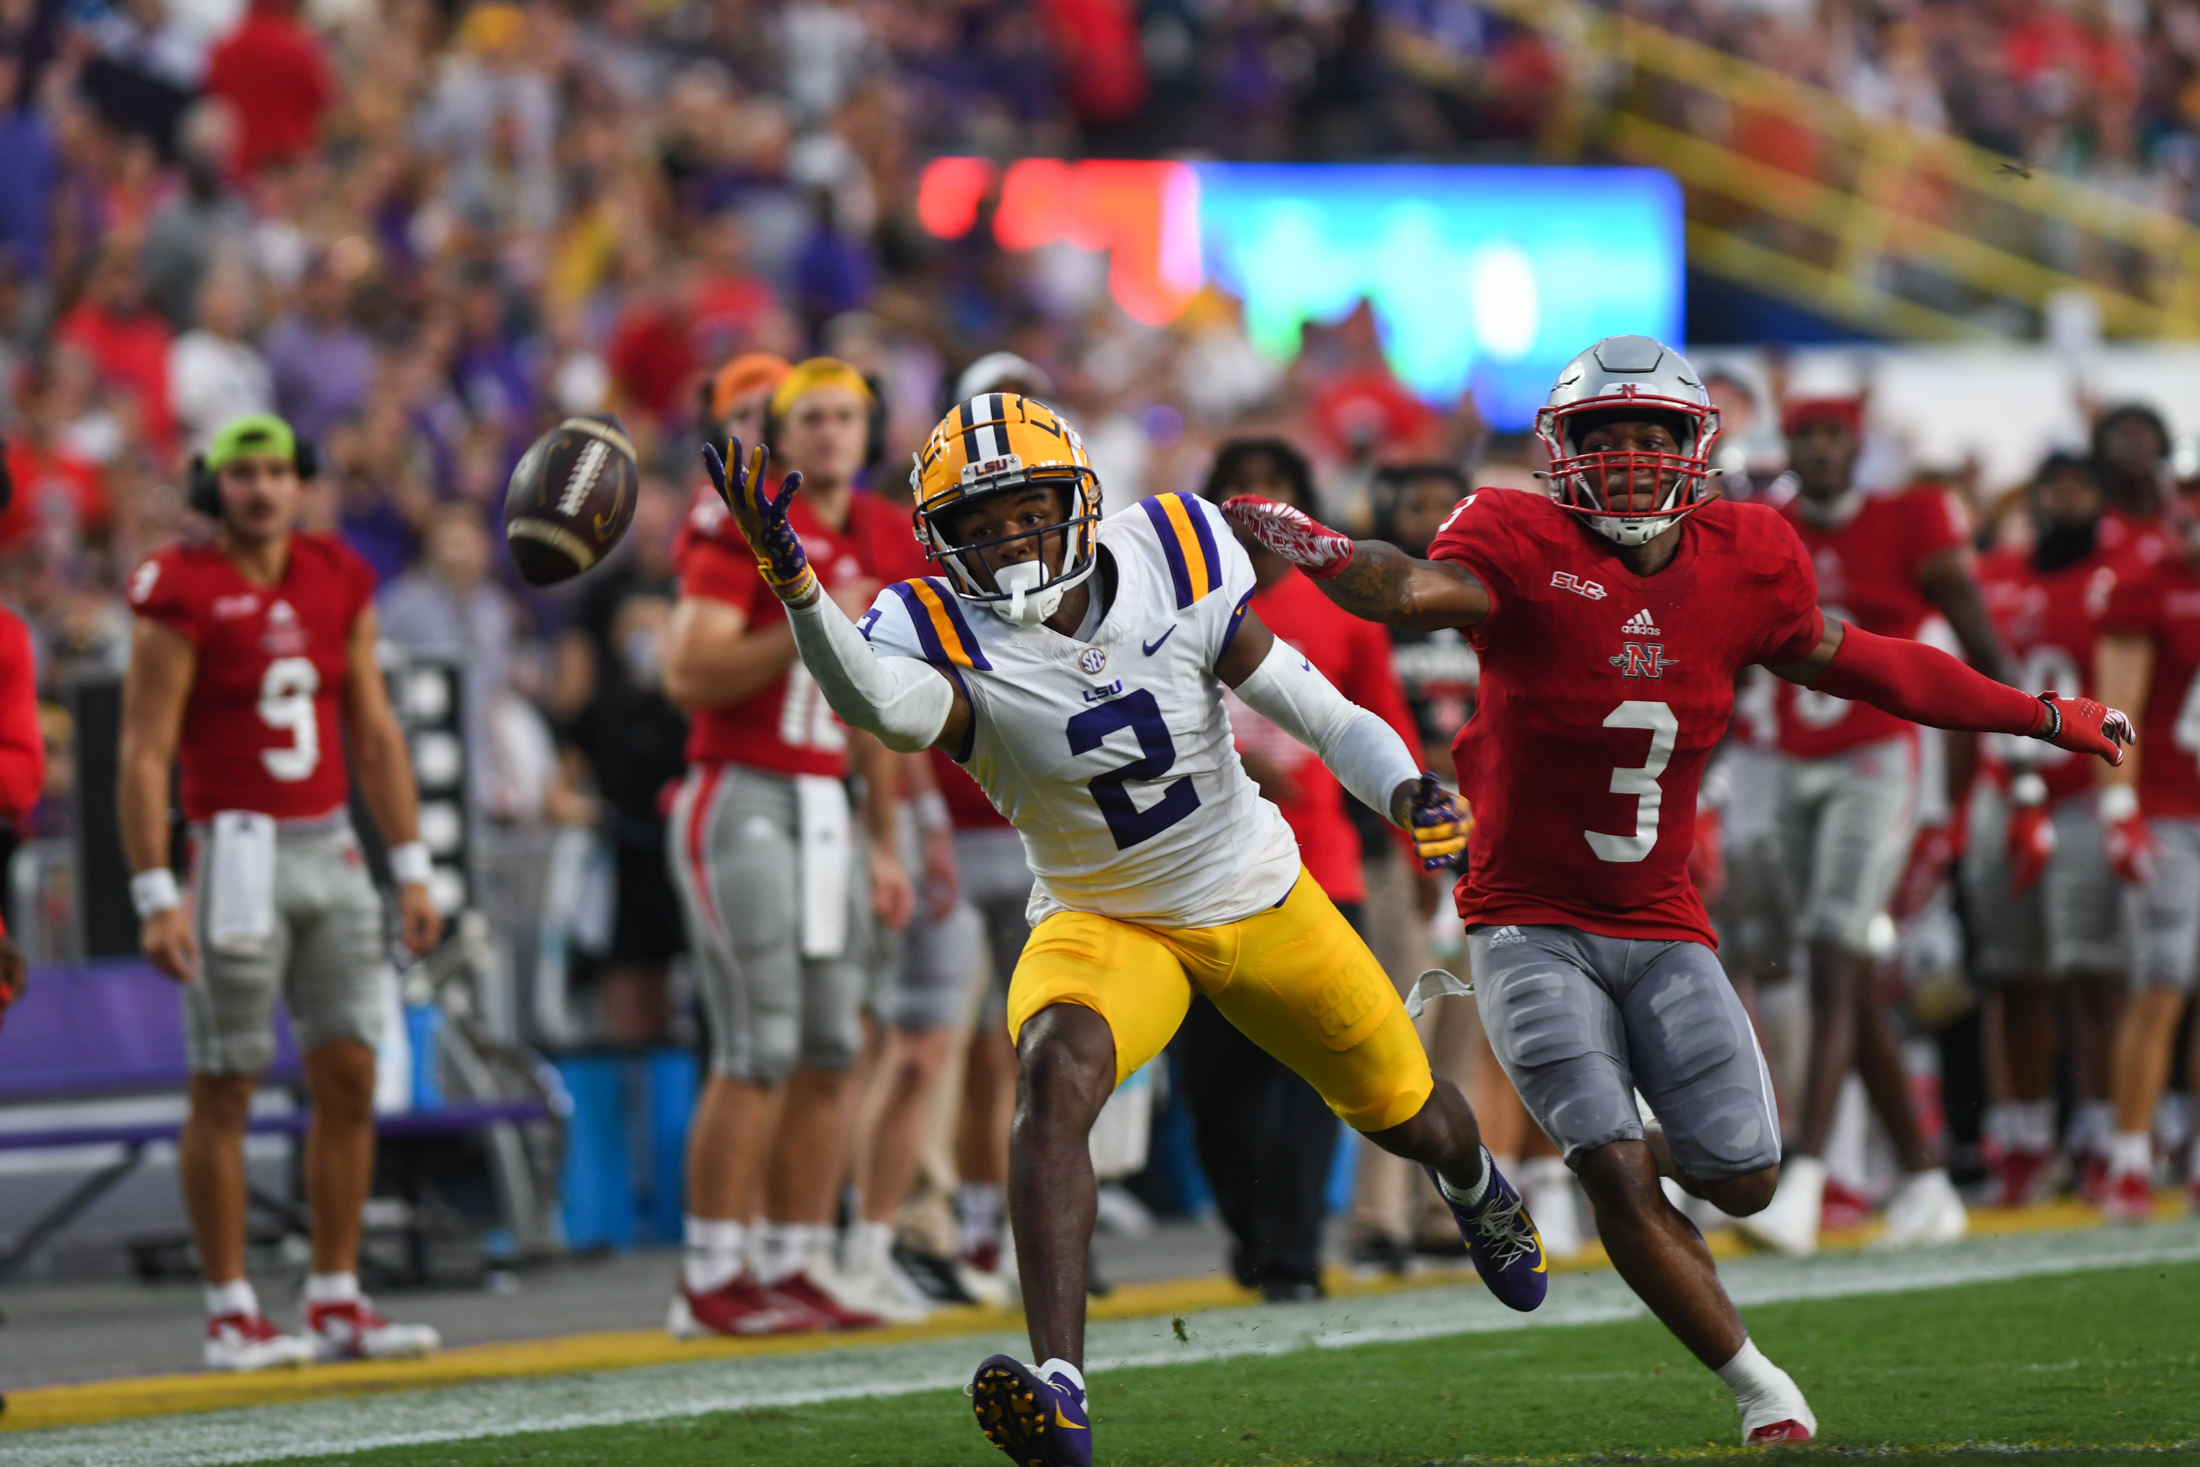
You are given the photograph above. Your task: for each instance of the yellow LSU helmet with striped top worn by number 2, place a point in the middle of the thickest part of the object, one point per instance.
(991, 445)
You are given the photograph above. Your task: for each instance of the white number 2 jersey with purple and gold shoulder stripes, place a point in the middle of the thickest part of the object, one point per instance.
(1114, 758)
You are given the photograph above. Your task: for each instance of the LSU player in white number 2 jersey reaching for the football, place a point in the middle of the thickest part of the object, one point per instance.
(1077, 670)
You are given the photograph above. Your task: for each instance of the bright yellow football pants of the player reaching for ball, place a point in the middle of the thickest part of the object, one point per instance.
(1297, 980)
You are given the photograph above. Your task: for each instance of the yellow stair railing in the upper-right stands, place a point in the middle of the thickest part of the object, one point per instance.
(1873, 221)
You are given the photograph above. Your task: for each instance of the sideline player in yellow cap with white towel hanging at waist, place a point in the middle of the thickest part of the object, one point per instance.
(775, 885)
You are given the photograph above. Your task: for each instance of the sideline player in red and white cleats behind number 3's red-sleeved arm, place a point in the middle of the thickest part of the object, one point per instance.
(1847, 810)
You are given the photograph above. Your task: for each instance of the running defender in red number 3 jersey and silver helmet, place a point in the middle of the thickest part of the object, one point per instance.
(1611, 621)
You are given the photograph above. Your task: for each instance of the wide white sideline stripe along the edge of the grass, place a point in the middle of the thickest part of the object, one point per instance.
(654, 1393)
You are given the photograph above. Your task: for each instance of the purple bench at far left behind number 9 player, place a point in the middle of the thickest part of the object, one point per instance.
(113, 1028)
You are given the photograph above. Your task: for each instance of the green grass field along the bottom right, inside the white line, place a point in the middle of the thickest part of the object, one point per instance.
(2071, 1367)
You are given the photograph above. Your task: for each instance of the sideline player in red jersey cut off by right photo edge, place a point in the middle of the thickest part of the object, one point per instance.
(2150, 654)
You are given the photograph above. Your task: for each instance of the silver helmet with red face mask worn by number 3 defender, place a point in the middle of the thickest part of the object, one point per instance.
(1618, 379)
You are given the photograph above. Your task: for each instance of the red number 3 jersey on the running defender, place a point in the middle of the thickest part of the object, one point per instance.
(1603, 696)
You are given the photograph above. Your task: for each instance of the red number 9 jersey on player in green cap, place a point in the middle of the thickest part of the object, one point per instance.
(261, 729)
